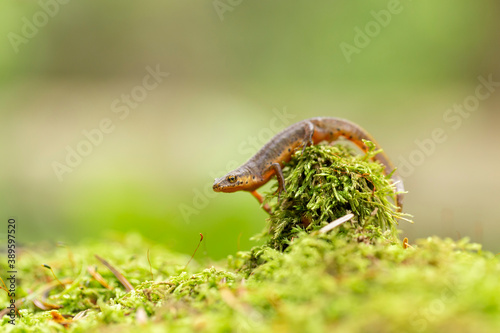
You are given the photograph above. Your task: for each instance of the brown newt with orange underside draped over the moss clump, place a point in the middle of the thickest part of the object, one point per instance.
(269, 160)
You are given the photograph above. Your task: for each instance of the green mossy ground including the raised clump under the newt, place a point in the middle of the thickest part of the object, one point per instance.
(357, 277)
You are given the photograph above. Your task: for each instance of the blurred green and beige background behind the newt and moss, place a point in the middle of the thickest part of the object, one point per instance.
(232, 66)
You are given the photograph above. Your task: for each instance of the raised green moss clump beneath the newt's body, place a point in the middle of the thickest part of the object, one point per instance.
(324, 183)
